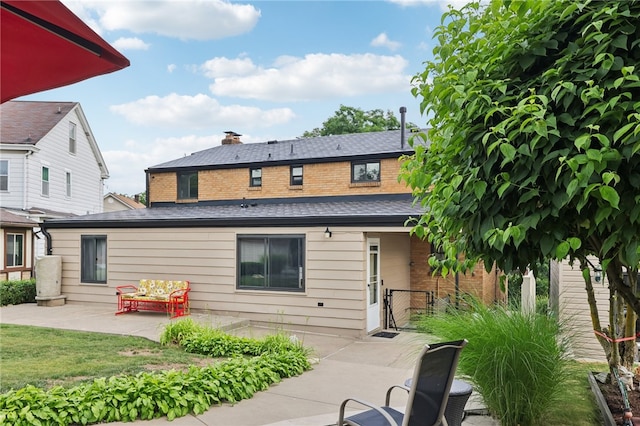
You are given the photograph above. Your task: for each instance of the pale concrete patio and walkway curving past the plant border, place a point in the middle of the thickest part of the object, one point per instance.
(347, 367)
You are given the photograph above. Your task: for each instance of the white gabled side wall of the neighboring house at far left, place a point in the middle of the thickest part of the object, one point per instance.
(87, 186)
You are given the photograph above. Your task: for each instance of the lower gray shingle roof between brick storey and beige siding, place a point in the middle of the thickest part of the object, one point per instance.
(372, 210)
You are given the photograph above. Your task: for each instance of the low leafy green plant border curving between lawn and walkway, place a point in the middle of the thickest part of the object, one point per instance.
(168, 393)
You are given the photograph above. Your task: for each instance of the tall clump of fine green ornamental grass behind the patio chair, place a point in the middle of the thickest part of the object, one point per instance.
(517, 361)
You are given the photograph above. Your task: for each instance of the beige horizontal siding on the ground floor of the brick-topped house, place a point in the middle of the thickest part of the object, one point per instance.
(335, 270)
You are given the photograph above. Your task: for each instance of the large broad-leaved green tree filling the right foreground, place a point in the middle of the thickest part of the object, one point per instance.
(534, 116)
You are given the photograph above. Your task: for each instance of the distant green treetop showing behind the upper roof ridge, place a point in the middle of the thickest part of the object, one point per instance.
(355, 120)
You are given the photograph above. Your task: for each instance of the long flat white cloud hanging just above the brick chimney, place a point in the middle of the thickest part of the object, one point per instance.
(198, 112)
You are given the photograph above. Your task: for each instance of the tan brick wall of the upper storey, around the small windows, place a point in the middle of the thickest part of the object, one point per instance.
(323, 179)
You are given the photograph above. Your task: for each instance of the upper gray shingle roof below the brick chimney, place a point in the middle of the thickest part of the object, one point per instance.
(352, 146)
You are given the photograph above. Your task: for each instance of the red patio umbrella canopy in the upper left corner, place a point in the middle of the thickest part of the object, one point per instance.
(43, 45)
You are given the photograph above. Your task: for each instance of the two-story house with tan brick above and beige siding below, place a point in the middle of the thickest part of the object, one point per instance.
(307, 233)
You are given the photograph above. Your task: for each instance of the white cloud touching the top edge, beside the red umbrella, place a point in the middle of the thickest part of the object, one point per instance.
(198, 20)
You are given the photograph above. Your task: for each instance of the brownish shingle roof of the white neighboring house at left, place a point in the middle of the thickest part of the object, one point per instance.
(27, 122)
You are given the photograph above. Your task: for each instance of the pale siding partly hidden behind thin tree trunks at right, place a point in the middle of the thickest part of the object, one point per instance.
(574, 310)
